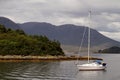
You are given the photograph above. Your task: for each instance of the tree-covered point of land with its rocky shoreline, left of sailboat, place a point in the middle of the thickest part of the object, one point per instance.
(16, 45)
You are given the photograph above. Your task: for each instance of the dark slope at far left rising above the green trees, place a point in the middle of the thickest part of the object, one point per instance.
(8, 23)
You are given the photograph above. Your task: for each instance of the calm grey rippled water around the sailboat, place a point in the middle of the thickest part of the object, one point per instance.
(59, 70)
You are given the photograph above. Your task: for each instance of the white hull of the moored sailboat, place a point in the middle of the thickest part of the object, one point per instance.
(91, 67)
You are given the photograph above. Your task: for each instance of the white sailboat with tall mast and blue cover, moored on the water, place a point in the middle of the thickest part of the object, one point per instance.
(91, 66)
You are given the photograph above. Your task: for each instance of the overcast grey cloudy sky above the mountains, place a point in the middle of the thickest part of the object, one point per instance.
(105, 16)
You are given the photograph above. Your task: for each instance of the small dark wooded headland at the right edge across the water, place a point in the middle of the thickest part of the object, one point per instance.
(113, 49)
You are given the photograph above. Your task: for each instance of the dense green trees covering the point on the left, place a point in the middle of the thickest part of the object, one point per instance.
(16, 42)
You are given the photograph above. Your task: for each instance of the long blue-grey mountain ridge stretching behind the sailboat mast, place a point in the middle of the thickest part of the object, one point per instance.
(68, 34)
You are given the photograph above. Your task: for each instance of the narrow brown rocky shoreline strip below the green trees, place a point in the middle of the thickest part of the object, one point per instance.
(15, 58)
